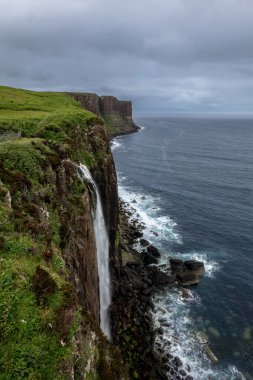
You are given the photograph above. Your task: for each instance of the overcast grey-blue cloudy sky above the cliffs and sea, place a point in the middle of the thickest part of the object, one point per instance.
(165, 55)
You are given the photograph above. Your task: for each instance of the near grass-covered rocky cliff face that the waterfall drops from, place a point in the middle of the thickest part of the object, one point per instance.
(49, 304)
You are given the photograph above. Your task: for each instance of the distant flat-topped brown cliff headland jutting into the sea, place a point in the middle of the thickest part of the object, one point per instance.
(117, 114)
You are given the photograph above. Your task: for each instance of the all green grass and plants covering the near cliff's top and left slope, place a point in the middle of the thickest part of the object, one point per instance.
(36, 131)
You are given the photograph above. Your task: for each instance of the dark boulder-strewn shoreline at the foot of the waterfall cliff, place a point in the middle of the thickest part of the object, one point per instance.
(133, 310)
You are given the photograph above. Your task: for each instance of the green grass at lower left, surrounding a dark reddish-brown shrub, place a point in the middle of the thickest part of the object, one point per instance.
(30, 348)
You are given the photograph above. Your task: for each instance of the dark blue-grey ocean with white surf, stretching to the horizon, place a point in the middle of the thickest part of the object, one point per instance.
(190, 179)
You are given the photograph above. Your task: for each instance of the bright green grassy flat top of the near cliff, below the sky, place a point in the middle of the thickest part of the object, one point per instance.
(40, 114)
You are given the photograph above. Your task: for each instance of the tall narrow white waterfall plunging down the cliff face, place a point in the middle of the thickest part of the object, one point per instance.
(102, 247)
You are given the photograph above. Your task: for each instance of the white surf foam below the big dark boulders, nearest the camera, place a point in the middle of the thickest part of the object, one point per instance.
(180, 337)
